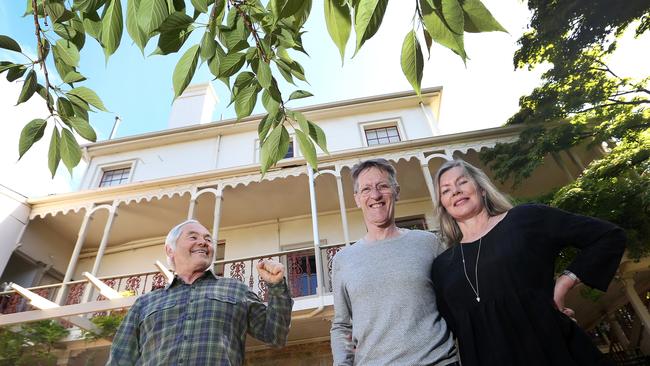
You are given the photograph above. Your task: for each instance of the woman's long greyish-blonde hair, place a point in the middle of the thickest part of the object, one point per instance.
(494, 201)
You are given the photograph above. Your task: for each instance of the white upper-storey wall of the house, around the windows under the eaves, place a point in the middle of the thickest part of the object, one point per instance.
(238, 149)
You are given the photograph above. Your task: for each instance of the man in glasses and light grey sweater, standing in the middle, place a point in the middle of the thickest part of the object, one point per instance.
(384, 306)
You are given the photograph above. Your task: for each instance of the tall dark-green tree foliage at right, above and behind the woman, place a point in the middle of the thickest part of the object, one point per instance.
(582, 102)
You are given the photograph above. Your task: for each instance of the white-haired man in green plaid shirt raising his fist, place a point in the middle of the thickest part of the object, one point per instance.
(199, 318)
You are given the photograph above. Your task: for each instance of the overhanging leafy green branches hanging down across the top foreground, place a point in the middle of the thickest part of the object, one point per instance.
(245, 44)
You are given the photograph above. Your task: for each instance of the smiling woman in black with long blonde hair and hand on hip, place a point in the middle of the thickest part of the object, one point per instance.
(495, 283)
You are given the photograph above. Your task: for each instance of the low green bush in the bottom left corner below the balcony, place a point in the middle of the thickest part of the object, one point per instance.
(31, 344)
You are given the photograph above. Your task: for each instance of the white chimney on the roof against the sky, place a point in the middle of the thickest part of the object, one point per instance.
(194, 106)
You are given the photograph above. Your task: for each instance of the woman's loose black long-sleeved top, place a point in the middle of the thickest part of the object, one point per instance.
(516, 322)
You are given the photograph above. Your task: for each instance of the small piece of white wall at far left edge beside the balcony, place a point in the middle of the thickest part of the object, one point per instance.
(14, 215)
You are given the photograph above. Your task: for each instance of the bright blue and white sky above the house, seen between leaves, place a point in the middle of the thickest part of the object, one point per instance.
(481, 94)
